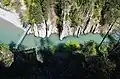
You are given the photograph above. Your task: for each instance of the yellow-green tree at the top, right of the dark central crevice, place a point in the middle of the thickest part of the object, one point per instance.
(77, 13)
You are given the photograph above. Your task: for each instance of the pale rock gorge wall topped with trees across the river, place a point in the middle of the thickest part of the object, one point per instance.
(68, 17)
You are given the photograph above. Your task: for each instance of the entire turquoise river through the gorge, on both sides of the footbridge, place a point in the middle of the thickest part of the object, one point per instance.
(9, 33)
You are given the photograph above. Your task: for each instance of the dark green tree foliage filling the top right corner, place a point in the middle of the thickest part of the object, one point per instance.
(110, 11)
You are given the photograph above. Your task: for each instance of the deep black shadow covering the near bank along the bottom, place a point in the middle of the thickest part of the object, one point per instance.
(55, 66)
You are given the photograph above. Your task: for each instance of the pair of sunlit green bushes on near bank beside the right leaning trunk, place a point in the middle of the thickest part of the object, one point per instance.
(90, 48)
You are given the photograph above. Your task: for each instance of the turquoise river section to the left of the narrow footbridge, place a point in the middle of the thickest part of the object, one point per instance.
(9, 32)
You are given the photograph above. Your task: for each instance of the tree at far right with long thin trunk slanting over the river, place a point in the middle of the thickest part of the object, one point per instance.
(114, 9)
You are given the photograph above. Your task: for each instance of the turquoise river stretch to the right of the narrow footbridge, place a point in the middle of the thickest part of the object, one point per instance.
(32, 41)
